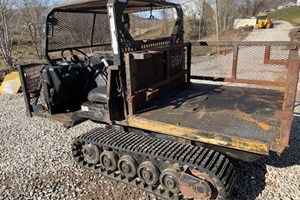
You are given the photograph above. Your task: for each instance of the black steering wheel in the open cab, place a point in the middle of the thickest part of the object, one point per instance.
(75, 58)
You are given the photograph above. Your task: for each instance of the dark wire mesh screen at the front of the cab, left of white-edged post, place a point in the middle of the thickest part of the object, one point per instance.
(78, 29)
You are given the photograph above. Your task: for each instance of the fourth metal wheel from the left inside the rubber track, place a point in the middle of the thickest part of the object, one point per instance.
(148, 173)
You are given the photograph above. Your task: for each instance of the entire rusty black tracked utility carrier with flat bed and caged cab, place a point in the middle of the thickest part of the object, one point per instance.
(162, 131)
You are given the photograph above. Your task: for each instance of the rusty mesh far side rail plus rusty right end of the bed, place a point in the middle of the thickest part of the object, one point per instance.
(273, 65)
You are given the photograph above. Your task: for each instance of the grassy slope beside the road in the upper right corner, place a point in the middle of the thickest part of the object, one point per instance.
(291, 15)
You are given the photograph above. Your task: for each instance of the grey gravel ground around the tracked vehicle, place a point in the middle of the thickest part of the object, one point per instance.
(36, 163)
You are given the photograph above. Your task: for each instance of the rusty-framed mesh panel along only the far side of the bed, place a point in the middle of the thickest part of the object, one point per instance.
(257, 63)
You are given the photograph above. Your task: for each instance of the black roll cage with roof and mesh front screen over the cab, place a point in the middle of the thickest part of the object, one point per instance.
(99, 23)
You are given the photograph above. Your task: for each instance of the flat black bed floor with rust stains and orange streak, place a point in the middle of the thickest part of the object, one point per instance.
(234, 111)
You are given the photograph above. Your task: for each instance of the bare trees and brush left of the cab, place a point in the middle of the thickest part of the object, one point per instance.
(20, 29)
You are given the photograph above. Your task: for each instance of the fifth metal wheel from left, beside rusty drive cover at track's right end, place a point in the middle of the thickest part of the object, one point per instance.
(169, 180)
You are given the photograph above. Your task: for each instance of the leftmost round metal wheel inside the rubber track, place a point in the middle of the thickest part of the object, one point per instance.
(91, 153)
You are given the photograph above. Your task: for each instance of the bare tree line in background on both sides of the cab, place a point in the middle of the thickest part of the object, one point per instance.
(20, 23)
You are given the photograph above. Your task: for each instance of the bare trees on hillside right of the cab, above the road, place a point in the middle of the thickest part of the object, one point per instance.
(204, 18)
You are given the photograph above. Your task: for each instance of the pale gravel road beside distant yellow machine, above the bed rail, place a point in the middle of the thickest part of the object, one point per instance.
(280, 32)
